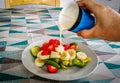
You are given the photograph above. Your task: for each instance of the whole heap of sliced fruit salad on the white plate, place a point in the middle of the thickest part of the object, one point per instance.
(57, 56)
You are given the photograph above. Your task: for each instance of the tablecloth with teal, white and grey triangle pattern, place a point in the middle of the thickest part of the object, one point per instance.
(20, 27)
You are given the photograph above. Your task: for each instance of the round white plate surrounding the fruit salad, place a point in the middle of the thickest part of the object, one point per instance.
(72, 73)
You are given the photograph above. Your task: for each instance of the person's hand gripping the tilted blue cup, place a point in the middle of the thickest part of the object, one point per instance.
(107, 24)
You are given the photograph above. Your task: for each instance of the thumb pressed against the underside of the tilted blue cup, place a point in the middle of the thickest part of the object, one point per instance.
(87, 33)
